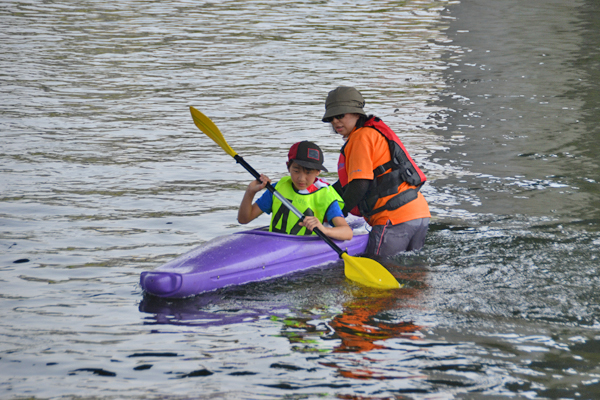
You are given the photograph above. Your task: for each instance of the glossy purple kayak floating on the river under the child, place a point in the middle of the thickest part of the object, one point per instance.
(243, 257)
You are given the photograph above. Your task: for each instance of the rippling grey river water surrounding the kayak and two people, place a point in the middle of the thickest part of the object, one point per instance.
(104, 175)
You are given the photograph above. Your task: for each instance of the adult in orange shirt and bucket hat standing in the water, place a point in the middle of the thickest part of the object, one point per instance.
(377, 177)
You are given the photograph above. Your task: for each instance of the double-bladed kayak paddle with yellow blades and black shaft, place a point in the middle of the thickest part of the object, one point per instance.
(359, 269)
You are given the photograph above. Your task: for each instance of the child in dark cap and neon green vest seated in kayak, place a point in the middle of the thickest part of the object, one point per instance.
(312, 196)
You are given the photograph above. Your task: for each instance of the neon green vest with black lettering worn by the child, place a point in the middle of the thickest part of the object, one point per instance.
(312, 204)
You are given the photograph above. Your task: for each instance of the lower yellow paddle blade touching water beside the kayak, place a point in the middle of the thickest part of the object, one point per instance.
(368, 272)
